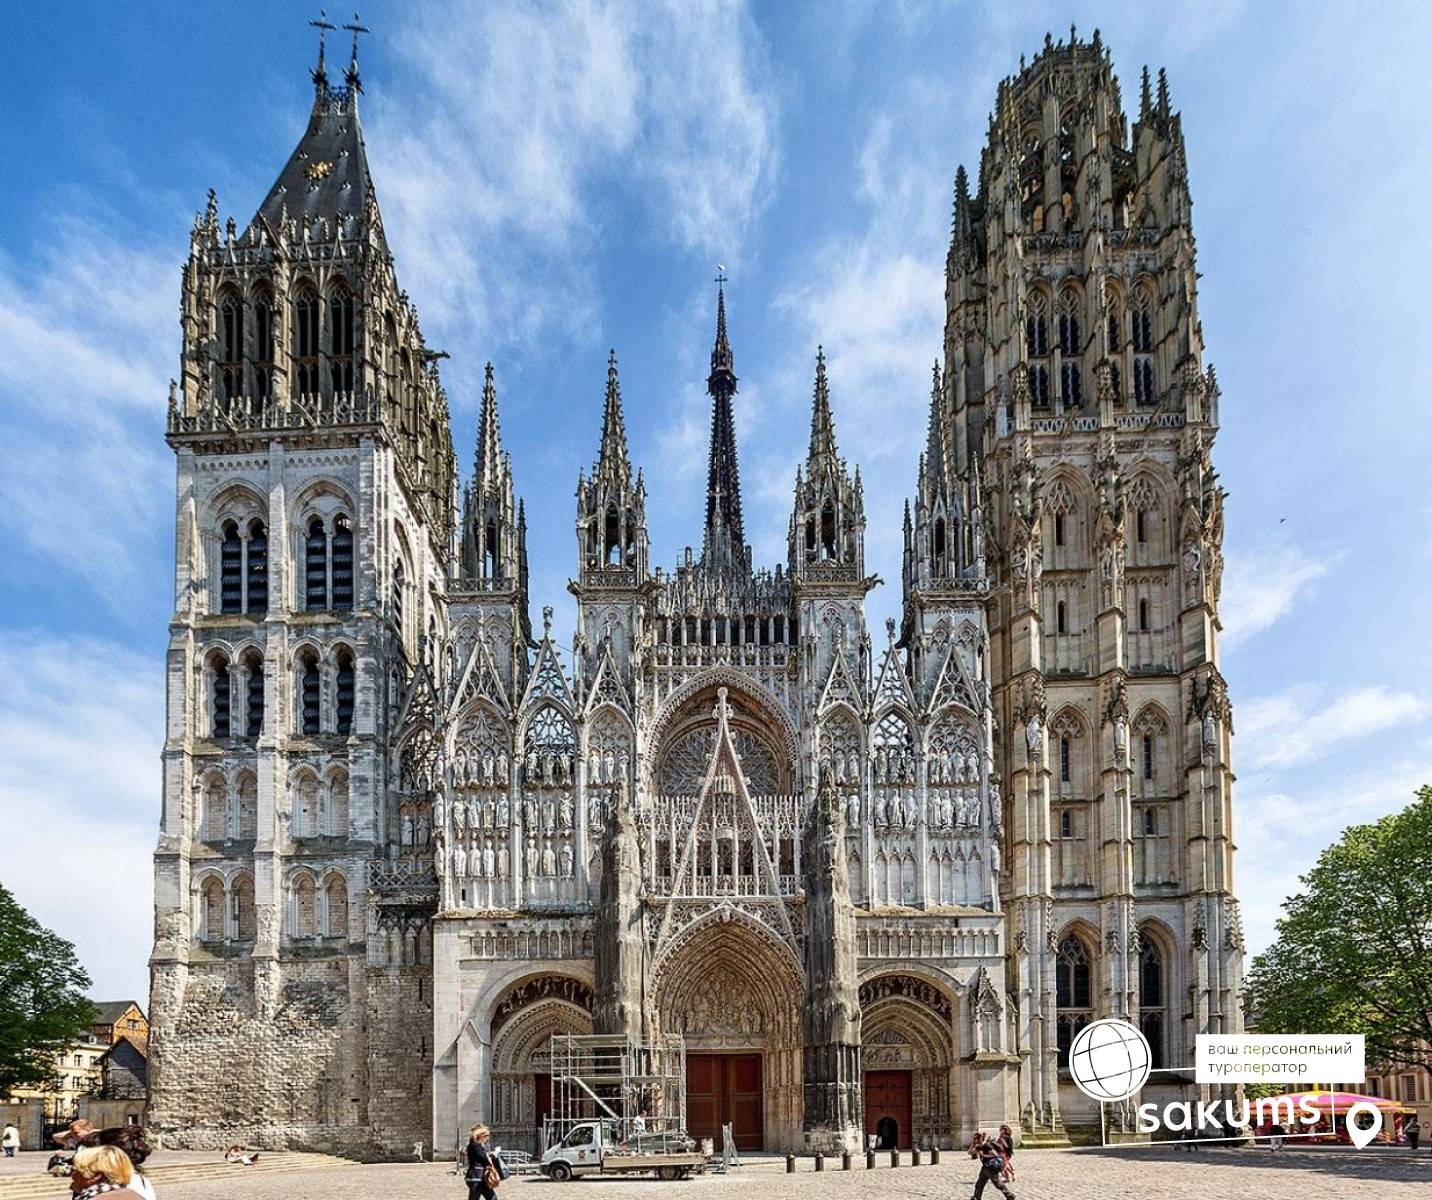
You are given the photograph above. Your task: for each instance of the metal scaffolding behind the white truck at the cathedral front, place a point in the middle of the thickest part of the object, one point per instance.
(638, 1086)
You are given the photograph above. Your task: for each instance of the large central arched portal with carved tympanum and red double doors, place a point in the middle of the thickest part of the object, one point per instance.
(734, 993)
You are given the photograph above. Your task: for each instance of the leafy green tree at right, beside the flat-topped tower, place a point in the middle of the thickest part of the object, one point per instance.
(1354, 950)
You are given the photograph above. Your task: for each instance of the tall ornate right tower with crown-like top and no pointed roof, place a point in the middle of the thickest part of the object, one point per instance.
(1076, 402)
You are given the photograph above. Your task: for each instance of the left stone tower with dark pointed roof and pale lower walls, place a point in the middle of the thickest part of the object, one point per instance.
(294, 884)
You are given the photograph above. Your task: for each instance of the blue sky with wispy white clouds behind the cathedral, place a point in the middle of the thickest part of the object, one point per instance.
(562, 180)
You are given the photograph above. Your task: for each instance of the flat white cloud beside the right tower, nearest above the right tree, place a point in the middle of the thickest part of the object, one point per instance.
(1304, 724)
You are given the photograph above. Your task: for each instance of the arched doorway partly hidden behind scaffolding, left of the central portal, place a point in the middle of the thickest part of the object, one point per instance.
(522, 1027)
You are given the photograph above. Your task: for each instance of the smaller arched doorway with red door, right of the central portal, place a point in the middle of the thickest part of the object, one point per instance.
(907, 1053)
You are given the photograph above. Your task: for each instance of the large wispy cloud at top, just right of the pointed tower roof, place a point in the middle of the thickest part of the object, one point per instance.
(492, 181)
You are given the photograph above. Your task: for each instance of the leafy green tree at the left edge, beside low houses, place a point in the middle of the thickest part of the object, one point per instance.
(42, 997)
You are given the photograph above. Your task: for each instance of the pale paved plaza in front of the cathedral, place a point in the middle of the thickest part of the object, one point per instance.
(1043, 1175)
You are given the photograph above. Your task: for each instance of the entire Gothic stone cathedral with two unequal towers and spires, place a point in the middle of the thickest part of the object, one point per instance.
(874, 880)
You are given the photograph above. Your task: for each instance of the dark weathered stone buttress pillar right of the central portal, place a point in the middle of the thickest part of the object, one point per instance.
(831, 1060)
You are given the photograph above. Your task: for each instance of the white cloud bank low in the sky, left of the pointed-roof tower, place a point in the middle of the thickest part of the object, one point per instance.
(79, 787)
